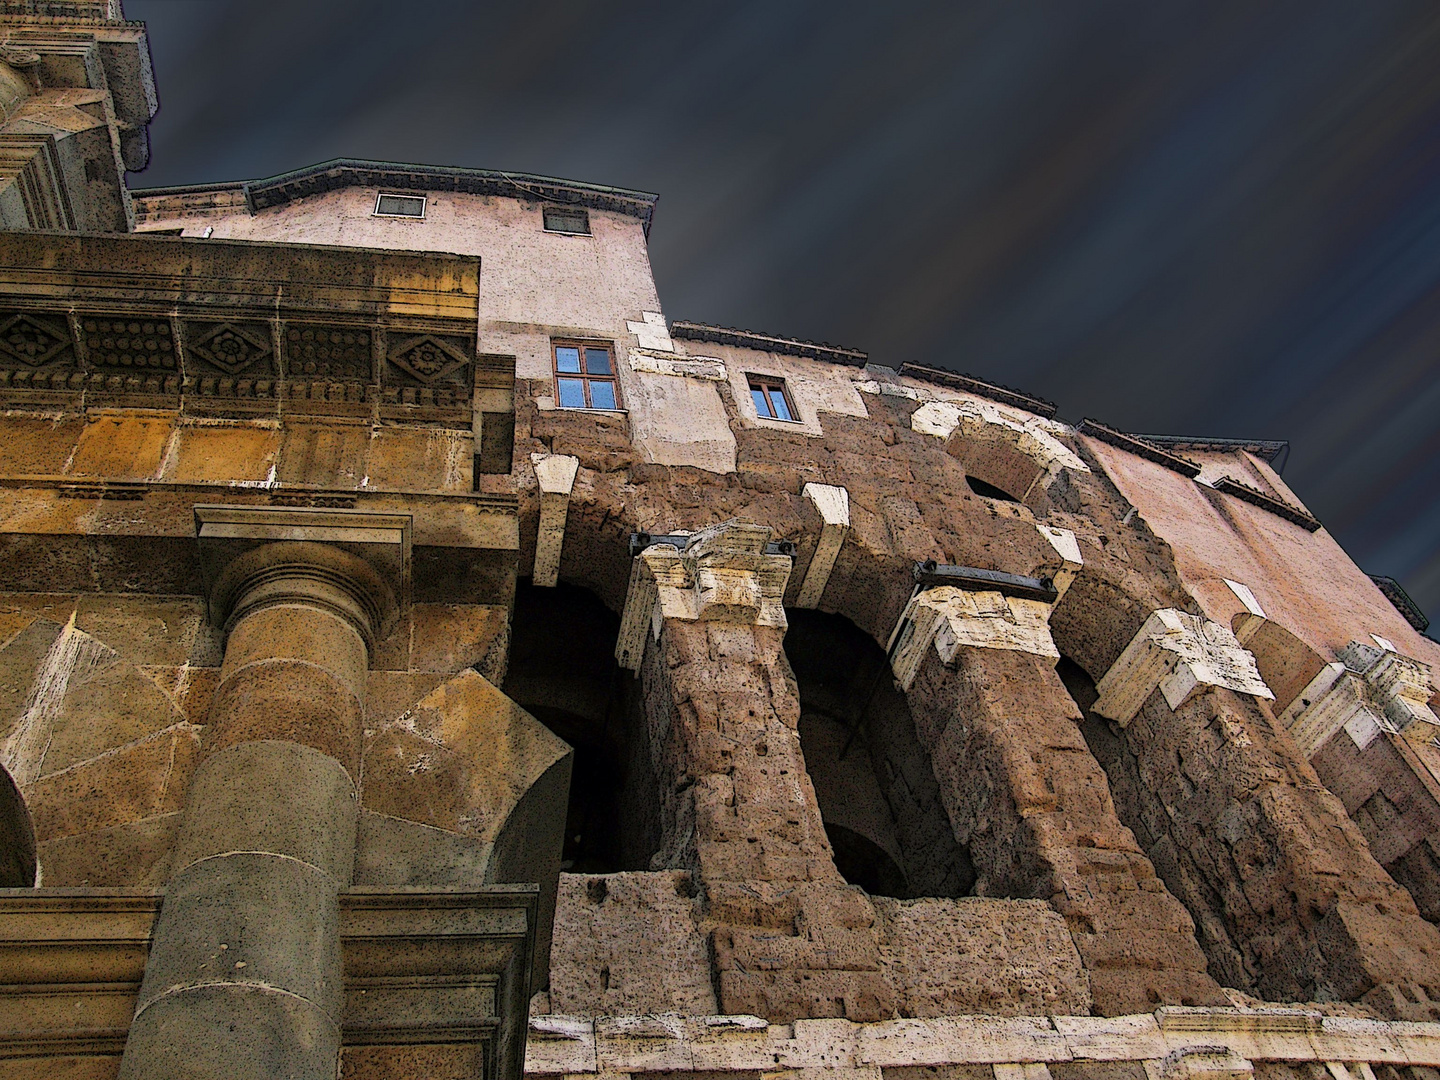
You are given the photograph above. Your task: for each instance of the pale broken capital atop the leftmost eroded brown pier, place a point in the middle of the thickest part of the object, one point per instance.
(724, 575)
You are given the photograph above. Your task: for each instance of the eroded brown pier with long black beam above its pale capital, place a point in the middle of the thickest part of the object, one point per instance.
(1030, 801)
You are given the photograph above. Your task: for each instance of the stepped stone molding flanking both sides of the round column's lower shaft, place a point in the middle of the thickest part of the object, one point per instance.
(451, 964)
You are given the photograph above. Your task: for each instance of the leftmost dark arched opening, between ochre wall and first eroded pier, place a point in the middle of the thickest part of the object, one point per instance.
(564, 673)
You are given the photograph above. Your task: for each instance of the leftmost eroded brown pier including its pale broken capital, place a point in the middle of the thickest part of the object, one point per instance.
(705, 629)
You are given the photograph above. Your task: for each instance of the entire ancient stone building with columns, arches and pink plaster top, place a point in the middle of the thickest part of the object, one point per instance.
(420, 657)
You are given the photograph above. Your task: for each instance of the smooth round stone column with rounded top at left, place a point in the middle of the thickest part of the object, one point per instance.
(244, 977)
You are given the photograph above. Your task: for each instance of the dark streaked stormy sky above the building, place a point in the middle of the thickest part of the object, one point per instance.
(1193, 218)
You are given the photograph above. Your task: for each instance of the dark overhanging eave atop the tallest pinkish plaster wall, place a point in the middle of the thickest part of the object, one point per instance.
(339, 174)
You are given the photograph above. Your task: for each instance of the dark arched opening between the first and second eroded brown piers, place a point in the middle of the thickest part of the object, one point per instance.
(875, 783)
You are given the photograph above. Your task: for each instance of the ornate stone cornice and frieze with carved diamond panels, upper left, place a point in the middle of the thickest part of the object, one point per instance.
(346, 333)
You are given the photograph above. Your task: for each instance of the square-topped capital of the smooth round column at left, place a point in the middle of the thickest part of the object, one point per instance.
(355, 564)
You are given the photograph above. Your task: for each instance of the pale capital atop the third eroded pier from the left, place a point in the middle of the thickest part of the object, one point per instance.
(1180, 654)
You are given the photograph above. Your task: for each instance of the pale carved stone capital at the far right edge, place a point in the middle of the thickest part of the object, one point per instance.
(1369, 690)
